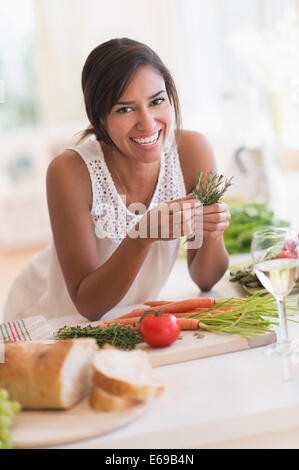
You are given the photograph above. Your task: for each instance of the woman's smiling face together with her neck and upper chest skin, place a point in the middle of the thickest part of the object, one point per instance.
(138, 129)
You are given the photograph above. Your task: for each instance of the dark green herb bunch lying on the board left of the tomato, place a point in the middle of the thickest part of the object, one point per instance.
(117, 335)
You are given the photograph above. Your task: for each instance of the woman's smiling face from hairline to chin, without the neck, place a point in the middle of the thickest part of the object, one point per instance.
(139, 122)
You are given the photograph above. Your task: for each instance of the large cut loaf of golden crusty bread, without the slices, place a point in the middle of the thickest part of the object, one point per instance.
(48, 376)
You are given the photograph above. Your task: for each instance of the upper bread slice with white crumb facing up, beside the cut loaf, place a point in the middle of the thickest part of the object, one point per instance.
(126, 374)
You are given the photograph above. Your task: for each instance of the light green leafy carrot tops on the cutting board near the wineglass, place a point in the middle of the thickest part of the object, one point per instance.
(245, 317)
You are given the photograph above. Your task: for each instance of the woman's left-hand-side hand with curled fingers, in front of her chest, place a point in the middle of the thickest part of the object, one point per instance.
(168, 221)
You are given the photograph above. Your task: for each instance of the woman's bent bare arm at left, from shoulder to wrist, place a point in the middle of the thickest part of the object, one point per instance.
(94, 290)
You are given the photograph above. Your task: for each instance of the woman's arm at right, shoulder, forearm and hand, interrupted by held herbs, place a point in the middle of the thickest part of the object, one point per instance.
(208, 263)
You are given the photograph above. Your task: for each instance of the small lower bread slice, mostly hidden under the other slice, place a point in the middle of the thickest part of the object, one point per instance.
(101, 400)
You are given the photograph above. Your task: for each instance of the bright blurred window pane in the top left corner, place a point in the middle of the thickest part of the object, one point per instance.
(17, 82)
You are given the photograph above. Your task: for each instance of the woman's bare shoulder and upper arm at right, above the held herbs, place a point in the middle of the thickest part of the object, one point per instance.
(196, 154)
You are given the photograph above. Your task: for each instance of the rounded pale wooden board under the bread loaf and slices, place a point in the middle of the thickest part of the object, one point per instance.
(33, 429)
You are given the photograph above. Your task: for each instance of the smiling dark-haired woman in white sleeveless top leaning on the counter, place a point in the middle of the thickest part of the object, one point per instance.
(129, 155)
